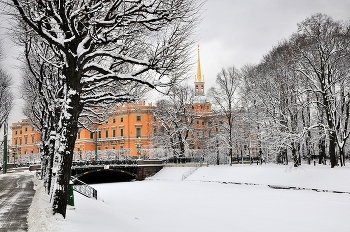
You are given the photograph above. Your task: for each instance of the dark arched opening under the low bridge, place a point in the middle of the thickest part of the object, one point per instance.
(105, 176)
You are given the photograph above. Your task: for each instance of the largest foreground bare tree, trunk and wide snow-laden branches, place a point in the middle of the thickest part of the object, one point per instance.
(104, 45)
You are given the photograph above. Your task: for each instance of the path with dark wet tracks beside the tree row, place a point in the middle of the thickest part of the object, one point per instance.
(16, 195)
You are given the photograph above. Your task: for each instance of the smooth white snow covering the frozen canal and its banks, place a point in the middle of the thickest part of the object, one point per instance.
(210, 200)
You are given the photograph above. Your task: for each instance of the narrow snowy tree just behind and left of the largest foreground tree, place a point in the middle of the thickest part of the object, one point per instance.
(40, 87)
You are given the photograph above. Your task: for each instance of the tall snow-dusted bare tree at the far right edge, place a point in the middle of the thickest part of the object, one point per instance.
(321, 50)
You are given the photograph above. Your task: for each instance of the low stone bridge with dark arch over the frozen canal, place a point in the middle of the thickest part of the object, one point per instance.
(116, 171)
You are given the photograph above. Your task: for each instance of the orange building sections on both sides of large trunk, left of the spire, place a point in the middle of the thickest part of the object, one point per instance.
(127, 132)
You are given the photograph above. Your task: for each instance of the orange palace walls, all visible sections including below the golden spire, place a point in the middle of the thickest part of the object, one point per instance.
(127, 131)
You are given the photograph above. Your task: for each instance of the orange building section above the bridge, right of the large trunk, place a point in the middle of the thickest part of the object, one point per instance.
(127, 133)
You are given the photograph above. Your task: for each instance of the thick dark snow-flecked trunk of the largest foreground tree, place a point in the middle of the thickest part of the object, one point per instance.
(66, 131)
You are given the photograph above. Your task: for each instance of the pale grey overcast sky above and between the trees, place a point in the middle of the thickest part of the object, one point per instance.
(236, 32)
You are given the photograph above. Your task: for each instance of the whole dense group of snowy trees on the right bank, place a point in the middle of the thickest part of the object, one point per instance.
(302, 89)
